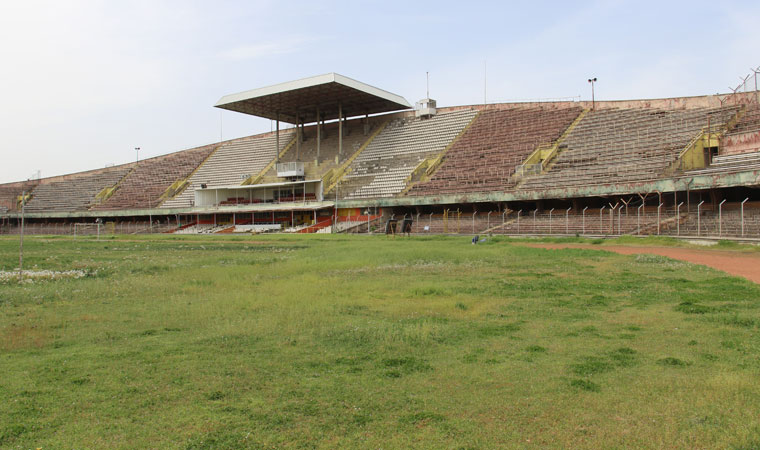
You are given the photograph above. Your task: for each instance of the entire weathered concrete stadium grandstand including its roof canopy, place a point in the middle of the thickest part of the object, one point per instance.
(356, 158)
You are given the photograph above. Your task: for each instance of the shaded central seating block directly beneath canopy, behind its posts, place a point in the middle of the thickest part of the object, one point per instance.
(353, 138)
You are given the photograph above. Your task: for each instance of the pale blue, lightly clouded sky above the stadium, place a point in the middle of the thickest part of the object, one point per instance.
(83, 83)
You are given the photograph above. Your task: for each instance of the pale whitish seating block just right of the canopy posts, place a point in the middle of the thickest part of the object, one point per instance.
(382, 168)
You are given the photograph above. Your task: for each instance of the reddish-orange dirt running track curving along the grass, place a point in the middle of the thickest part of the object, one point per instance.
(745, 265)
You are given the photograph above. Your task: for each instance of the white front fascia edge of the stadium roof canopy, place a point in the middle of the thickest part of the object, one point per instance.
(308, 82)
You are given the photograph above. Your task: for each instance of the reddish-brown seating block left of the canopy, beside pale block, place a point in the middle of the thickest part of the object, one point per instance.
(143, 186)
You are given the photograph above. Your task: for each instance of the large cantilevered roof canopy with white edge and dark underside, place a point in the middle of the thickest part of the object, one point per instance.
(298, 101)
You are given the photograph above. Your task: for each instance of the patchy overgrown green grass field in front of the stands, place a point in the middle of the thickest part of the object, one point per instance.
(371, 342)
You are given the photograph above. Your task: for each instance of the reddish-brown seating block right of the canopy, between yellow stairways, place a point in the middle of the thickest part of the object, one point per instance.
(486, 155)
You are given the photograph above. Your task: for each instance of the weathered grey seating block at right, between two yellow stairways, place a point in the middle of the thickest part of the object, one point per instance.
(625, 145)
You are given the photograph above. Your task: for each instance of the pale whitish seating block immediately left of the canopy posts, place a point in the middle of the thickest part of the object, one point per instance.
(232, 163)
